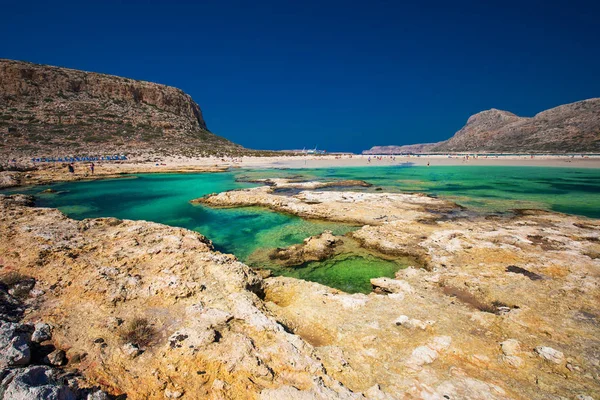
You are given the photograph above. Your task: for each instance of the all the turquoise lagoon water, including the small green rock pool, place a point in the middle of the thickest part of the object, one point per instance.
(165, 198)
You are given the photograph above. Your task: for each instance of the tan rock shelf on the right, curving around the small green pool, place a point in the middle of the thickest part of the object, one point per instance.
(503, 307)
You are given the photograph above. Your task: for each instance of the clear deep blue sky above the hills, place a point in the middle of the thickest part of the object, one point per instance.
(343, 75)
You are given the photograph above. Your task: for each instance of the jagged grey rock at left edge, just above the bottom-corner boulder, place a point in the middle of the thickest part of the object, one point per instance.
(14, 344)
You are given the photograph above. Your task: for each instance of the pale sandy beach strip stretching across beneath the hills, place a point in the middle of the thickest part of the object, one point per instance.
(53, 172)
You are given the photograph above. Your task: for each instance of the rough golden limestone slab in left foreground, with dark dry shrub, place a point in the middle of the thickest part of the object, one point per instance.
(154, 312)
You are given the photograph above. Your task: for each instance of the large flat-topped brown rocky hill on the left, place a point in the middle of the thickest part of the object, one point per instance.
(52, 111)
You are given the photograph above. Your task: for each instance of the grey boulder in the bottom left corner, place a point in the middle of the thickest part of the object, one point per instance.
(34, 383)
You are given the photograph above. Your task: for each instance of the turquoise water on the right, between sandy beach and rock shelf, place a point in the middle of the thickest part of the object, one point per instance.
(490, 189)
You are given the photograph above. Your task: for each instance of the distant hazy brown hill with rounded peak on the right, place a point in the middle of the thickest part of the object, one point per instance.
(568, 128)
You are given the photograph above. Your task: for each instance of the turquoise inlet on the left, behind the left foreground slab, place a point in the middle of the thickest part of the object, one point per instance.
(165, 198)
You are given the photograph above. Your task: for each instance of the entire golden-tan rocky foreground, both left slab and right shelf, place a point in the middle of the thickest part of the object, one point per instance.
(494, 308)
